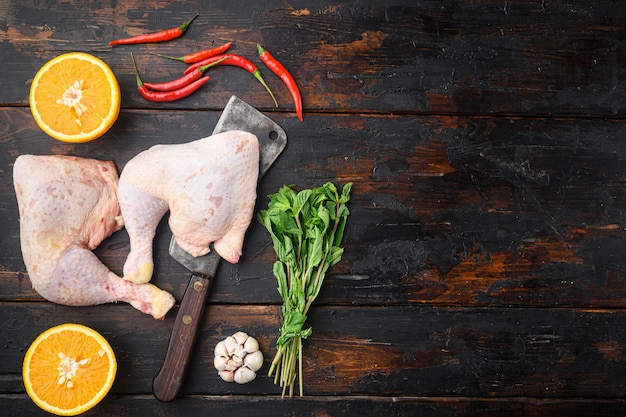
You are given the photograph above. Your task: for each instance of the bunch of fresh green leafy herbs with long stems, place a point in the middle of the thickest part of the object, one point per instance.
(307, 228)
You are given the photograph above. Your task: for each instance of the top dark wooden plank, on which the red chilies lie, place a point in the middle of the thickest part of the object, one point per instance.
(487, 57)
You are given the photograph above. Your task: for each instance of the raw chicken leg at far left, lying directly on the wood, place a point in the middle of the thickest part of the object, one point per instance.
(67, 206)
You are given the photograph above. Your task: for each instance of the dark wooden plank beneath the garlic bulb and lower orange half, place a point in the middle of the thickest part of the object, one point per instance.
(379, 351)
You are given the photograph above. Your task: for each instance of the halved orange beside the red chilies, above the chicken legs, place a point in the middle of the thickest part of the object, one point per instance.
(75, 97)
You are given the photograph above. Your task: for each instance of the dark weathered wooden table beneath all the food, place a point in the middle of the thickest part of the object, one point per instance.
(484, 271)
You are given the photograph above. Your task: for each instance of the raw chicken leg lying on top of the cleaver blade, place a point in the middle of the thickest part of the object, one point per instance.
(209, 186)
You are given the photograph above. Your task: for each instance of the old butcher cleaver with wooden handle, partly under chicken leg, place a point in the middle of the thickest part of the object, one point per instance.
(237, 115)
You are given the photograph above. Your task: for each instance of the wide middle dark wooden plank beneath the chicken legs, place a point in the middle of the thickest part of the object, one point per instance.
(447, 211)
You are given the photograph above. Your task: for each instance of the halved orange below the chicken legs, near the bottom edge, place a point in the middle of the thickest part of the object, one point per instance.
(69, 369)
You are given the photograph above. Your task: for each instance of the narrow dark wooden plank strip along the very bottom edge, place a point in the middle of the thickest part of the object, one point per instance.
(270, 406)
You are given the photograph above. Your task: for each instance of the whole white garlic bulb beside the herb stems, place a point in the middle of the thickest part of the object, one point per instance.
(237, 358)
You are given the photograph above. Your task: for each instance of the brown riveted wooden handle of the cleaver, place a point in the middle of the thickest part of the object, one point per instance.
(169, 380)
